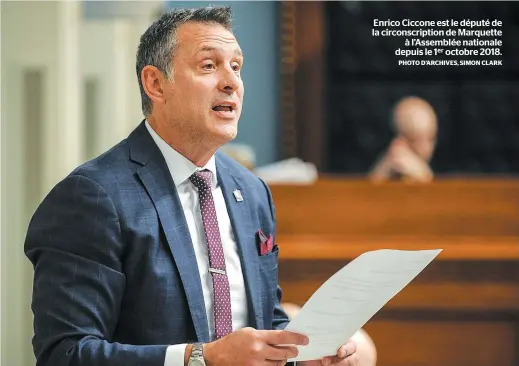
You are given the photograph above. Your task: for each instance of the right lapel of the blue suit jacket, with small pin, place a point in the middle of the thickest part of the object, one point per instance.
(239, 212)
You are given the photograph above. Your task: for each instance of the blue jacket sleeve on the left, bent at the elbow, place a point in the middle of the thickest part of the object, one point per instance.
(75, 244)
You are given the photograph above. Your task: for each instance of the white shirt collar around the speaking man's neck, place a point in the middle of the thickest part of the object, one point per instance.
(179, 166)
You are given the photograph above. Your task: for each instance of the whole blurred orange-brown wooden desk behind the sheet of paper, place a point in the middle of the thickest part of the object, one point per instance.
(463, 309)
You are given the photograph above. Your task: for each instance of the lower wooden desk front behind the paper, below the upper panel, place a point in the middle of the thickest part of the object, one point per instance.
(452, 314)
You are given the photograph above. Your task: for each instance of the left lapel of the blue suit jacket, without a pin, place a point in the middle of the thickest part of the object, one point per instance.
(157, 180)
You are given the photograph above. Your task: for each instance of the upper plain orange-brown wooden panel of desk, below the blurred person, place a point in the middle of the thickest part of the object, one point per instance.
(358, 208)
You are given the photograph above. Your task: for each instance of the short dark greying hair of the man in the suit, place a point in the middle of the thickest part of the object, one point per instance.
(158, 43)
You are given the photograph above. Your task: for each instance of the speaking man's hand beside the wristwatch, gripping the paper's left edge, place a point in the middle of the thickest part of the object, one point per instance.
(249, 346)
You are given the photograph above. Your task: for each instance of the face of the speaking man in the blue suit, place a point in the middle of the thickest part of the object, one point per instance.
(204, 99)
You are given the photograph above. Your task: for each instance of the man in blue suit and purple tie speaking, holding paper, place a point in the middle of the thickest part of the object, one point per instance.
(161, 251)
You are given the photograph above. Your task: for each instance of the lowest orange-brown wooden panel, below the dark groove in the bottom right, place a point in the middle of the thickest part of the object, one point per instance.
(418, 343)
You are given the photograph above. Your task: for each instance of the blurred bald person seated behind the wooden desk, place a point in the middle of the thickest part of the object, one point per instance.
(408, 156)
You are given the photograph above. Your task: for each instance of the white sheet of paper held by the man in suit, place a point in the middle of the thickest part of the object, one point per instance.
(348, 299)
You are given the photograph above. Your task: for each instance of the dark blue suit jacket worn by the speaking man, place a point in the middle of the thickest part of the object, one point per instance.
(116, 279)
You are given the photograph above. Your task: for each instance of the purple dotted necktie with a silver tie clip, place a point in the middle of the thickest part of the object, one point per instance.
(222, 295)
